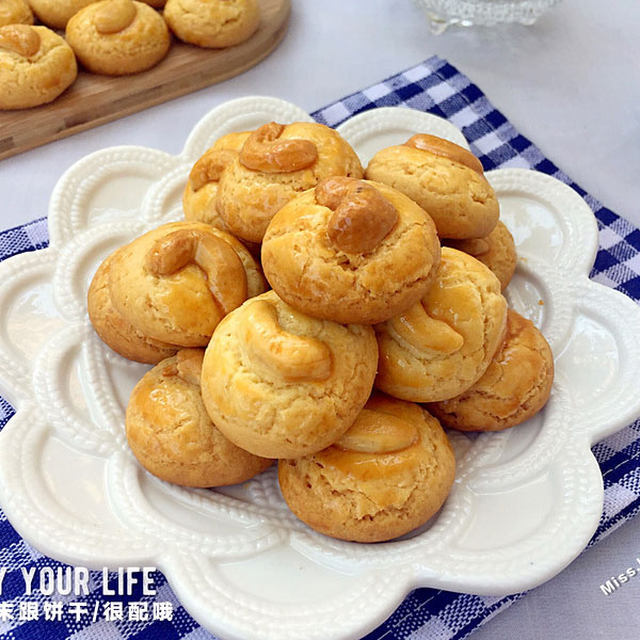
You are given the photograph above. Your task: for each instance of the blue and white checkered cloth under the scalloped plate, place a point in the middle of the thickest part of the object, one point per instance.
(437, 87)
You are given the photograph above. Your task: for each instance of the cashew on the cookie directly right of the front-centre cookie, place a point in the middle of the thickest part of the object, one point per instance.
(425, 333)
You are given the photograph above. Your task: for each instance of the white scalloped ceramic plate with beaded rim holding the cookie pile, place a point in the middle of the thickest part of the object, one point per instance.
(525, 501)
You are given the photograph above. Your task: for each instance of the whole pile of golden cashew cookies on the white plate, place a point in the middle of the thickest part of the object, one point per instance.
(384, 320)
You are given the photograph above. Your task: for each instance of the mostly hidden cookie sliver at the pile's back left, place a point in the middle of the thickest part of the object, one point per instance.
(201, 191)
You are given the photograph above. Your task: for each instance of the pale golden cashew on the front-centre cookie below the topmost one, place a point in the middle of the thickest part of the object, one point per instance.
(292, 357)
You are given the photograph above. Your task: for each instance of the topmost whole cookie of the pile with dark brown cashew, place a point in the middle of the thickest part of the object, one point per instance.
(351, 251)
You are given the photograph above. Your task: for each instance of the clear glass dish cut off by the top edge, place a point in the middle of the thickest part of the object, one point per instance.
(465, 13)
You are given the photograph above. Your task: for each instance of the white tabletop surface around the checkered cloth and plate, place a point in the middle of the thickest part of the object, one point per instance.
(571, 83)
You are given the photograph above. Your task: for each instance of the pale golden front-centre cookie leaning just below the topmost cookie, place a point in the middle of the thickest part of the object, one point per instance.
(281, 384)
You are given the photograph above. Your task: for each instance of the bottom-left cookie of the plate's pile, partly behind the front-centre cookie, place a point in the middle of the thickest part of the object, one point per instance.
(171, 434)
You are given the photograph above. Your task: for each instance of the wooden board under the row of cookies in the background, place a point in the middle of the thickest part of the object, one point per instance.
(94, 99)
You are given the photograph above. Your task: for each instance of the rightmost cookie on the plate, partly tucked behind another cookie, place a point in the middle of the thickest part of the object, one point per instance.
(514, 388)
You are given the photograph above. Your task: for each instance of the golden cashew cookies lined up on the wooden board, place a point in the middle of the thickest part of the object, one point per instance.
(109, 37)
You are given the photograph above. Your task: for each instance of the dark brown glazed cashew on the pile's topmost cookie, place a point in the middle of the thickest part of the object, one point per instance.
(362, 217)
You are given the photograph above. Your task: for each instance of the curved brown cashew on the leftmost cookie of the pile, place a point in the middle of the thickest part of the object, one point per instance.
(226, 277)
